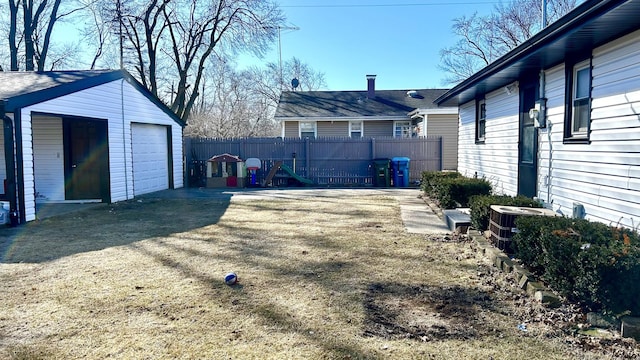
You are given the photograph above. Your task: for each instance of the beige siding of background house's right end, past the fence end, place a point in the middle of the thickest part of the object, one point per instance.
(447, 127)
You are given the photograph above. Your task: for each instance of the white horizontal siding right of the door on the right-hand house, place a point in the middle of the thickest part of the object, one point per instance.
(603, 176)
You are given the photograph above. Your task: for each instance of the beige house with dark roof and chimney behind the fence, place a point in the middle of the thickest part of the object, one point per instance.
(371, 113)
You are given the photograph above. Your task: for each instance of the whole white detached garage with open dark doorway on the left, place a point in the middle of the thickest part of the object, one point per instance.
(78, 136)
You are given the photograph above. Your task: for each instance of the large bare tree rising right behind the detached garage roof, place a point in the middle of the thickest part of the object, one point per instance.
(173, 39)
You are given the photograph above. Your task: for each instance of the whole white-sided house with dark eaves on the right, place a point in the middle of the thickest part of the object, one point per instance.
(558, 117)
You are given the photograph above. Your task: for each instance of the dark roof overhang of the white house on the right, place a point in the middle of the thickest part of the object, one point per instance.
(592, 24)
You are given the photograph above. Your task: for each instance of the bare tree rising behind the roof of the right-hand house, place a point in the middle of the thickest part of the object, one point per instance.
(483, 39)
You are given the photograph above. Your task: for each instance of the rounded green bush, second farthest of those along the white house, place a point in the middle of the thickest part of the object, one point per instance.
(456, 192)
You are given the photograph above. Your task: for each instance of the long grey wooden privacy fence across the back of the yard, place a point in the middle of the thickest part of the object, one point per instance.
(325, 161)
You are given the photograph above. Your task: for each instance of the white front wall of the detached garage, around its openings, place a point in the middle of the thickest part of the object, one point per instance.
(118, 102)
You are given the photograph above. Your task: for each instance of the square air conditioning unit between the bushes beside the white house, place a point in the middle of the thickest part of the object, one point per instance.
(502, 223)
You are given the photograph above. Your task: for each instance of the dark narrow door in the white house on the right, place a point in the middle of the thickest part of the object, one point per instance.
(528, 142)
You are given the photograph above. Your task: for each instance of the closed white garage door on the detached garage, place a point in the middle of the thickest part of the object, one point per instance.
(150, 158)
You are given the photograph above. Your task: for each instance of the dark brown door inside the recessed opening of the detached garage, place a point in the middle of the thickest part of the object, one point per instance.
(86, 156)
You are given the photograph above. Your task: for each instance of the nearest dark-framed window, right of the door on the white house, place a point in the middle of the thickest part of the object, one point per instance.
(578, 112)
